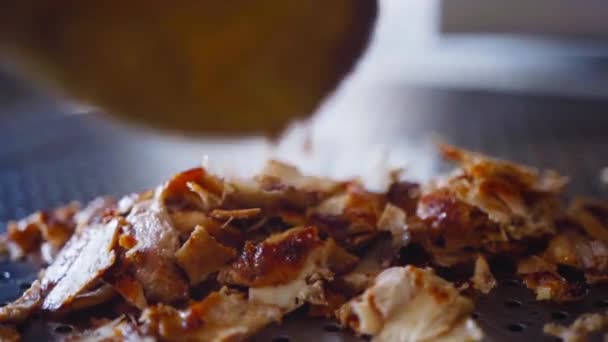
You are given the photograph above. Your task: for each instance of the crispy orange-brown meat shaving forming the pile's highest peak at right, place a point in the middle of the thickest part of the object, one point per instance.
(519, 199)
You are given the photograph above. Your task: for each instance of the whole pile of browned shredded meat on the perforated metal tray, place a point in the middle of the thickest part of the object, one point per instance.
(212, 259)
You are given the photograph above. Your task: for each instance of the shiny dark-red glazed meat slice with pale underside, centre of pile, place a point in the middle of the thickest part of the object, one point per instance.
(289, 269)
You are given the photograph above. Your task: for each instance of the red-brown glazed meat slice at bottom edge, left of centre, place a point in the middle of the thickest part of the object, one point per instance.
(222, 316)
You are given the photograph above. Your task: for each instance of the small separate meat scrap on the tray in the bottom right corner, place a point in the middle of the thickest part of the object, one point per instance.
(580, 330)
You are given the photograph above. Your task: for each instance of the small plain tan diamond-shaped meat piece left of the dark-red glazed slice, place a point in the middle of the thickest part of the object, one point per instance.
(202, 255)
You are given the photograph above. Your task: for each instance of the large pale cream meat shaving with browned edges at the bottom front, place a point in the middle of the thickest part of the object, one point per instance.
(411, 304)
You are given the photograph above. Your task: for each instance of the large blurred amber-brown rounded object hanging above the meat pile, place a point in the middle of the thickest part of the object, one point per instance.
(200, 66)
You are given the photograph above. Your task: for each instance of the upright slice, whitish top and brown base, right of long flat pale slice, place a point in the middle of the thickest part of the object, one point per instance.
(152, 258)
